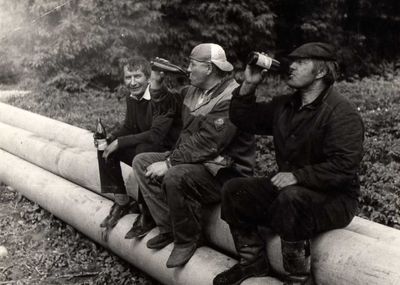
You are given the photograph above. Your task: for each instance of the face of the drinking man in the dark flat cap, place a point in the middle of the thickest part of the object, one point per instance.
(301, 73)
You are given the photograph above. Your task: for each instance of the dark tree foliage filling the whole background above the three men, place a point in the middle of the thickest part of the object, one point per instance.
(73, 44)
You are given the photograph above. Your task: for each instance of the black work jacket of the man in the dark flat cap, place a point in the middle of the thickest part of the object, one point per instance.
(320, 143)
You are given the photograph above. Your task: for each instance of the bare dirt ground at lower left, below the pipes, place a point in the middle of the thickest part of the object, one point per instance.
(44, 250)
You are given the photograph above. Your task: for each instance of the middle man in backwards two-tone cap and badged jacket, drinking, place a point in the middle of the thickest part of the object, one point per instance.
(209, 151)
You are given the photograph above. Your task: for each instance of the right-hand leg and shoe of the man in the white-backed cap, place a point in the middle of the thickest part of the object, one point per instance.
(188, 187)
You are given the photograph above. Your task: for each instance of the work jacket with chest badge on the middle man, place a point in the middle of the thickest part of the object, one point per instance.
(208, 135)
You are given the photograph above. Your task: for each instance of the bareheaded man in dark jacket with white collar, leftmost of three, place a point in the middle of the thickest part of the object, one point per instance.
(151, 124)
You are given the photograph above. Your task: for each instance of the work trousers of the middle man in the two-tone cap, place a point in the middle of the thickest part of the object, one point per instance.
(176, 200)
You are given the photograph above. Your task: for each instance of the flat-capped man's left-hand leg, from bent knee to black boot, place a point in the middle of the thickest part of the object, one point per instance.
(245, 206)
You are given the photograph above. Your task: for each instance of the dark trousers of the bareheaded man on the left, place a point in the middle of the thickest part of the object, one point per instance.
(110, 171)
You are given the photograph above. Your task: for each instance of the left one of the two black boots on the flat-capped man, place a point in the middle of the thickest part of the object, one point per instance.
(253, 261)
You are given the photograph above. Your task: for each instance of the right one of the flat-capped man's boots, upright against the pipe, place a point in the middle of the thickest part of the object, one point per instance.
(297, 262)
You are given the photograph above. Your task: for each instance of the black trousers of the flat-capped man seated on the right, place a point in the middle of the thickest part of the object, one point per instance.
(294, 212)
